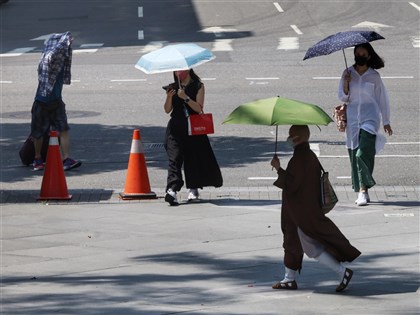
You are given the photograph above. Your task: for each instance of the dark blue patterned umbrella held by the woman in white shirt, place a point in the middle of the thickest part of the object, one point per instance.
(340, 41)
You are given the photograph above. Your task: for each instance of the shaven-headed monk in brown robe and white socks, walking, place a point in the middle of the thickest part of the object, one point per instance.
(305, 227)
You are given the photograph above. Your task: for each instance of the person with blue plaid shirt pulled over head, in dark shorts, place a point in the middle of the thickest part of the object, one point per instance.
(48, 110)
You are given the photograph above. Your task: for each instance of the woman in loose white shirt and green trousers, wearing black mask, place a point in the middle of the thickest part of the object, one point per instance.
(367, 100)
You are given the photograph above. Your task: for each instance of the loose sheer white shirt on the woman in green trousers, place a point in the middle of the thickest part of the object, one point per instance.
(368, 102)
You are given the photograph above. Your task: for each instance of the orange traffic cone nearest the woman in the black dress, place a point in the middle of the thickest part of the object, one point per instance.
(137, 184)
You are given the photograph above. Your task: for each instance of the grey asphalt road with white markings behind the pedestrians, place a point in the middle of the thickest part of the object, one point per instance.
(259, 47)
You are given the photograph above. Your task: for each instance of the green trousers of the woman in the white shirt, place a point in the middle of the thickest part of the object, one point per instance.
(362, 160)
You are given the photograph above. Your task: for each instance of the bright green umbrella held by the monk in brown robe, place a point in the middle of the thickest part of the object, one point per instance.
(276, 111)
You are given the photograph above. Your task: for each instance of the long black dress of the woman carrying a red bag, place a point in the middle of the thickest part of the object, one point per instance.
(193, 152)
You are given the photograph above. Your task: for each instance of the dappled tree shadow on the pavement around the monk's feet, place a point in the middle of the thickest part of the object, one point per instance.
(186, 280)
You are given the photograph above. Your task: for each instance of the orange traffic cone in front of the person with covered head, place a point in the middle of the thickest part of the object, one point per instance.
(54, 184)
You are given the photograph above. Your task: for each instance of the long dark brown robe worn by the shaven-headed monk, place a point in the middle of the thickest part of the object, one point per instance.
(301, 207)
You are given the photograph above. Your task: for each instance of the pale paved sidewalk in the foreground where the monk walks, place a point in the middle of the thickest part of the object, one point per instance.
(100, 255)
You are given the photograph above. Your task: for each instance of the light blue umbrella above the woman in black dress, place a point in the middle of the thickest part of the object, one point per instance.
(173, 58)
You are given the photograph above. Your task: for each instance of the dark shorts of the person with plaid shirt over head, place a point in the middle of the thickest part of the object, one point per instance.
(46, 116)
